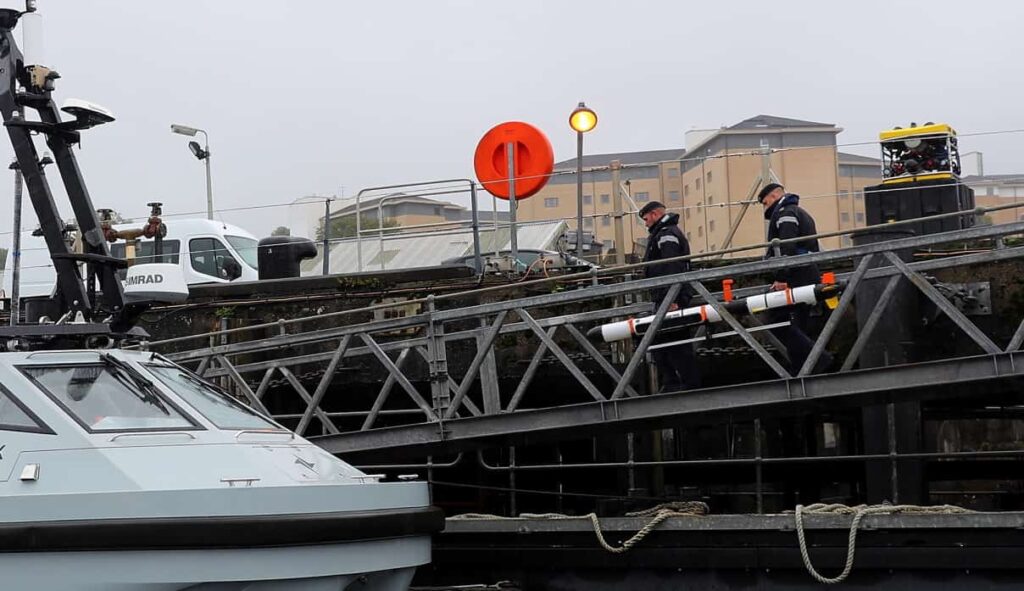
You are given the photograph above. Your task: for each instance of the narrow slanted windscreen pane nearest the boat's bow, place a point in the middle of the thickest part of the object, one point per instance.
(216, 405)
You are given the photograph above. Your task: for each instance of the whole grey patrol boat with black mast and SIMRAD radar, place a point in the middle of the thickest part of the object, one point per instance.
(121, 471)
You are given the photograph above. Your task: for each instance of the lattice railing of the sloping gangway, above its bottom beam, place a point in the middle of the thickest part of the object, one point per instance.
(477, 392)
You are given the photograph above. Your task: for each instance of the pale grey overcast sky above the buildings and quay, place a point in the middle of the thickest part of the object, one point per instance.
(307, 98)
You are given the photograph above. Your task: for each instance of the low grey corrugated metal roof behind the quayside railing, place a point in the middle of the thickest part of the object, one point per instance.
(410, 251)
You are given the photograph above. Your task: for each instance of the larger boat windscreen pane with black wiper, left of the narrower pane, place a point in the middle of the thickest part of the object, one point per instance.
(111, 397)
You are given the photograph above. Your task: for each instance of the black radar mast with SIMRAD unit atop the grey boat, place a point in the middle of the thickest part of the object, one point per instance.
(94, 310)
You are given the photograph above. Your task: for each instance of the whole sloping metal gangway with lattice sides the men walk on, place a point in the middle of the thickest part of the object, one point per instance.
(473, 410)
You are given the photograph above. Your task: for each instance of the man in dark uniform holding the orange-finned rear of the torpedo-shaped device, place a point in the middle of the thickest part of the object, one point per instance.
(788, 221)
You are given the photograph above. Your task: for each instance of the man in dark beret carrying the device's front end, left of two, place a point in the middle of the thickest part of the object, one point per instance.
(677, 367)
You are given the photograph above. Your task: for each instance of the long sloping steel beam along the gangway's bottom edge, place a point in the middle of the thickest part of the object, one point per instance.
(918, 382)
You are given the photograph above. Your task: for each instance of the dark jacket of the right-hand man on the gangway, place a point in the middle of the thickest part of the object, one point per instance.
(787, 220)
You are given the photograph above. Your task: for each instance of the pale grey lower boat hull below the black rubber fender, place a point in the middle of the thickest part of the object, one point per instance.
(387, 565)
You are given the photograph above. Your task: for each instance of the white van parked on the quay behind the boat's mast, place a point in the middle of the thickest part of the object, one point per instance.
(208, 251)
